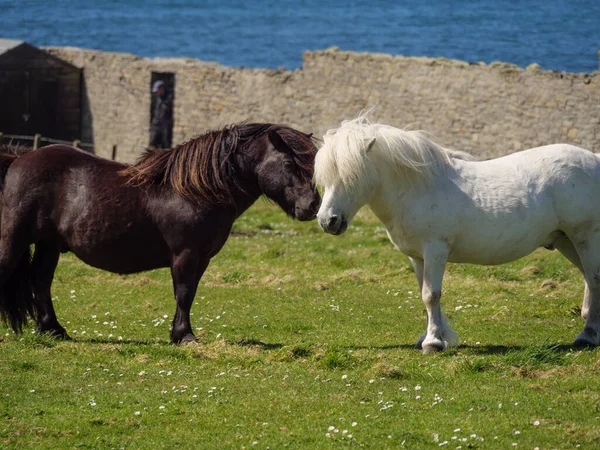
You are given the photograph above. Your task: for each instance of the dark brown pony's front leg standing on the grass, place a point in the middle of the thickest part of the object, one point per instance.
(186, 270)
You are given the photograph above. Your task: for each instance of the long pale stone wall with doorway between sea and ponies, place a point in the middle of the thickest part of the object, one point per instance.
(488, 110)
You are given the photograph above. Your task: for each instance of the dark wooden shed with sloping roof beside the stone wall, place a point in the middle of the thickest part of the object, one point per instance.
(39, 93)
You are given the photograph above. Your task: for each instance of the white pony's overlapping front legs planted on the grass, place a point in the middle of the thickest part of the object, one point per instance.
(430, 273)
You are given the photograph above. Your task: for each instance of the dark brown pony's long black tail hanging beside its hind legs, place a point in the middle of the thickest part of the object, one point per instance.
(16, 295)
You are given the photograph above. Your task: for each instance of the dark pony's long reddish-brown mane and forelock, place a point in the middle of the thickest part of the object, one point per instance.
(204, 168)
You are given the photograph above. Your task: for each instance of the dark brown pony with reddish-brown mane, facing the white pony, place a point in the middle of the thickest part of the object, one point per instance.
(174, 208)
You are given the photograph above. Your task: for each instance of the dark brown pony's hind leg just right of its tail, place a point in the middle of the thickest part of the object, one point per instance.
(45, 259)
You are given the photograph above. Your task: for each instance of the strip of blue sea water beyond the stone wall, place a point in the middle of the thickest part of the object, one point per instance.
(559, 35)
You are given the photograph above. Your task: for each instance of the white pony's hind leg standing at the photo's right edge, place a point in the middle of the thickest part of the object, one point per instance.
(589, 255)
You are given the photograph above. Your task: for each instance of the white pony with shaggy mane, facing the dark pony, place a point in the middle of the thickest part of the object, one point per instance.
(438, 207)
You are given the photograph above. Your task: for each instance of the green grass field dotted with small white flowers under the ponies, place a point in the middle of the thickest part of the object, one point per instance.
(306, 341)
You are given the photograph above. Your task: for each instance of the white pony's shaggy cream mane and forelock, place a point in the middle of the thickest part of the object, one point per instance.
(345, 157)
